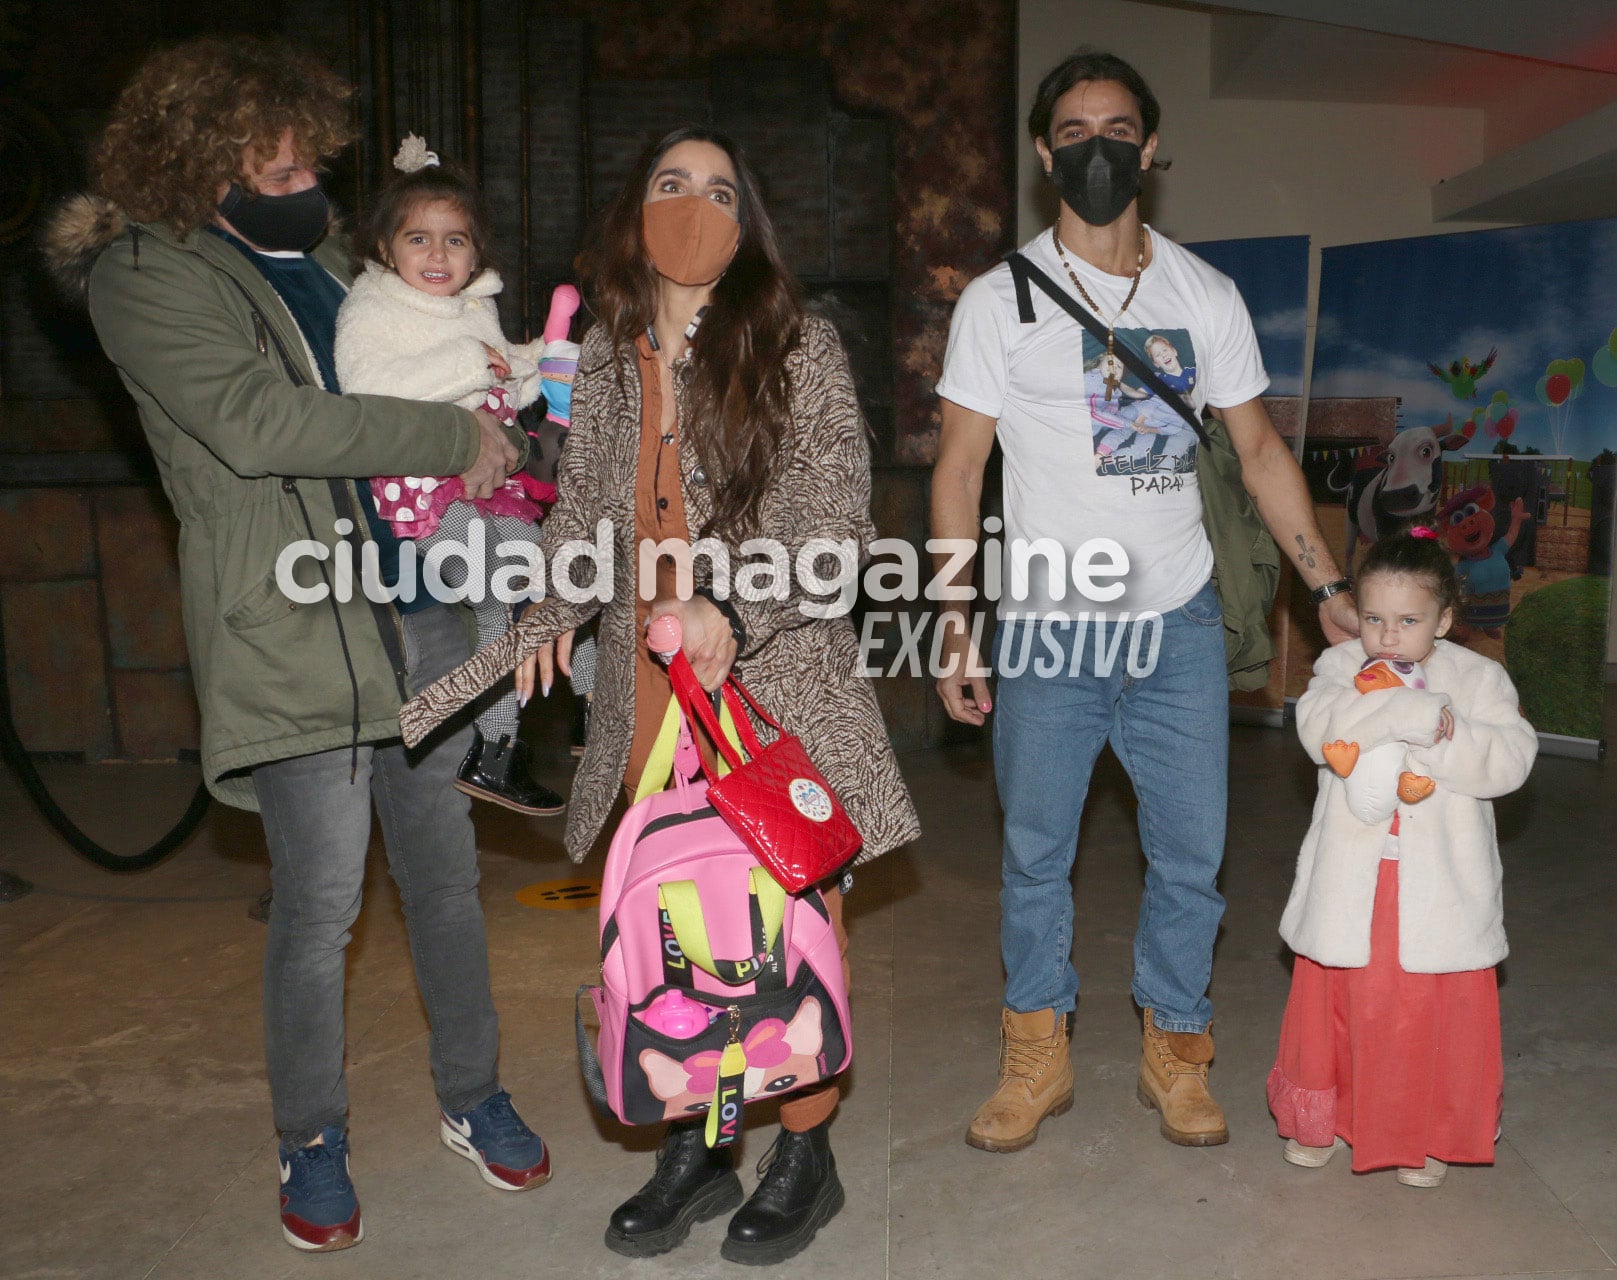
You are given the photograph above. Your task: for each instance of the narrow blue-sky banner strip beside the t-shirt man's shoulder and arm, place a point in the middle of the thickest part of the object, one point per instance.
(1272, 274)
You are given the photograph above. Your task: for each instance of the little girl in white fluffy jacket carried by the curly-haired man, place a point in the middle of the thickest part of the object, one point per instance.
(421, 324)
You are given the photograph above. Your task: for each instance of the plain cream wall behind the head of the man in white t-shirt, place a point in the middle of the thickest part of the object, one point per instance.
(1340, 174)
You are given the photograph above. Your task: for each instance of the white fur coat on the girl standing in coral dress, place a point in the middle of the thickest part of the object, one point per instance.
(1451, 909)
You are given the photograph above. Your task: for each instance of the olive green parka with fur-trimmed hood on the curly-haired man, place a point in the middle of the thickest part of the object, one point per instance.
(255, 460)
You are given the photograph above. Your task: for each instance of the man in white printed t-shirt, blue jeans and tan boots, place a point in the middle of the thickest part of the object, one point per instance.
(1110, 628)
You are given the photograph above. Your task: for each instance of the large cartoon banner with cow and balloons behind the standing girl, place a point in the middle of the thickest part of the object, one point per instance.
(1469, 384)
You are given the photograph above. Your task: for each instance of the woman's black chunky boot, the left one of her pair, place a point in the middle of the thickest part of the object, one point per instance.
(691, 1185)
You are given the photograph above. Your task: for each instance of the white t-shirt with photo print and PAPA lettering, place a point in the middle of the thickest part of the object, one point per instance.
(1079, 463)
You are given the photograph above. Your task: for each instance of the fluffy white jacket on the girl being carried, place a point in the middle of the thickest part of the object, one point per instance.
(395, 340)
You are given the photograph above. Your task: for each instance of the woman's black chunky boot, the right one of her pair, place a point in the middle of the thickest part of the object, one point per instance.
(798, 1197)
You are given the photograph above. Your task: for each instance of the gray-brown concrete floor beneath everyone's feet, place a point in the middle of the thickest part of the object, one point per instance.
(137, 1114)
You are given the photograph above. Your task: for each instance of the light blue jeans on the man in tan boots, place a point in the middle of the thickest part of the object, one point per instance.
(1168, 722)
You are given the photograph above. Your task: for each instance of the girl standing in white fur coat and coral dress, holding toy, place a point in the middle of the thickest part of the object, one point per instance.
(1390, 1043)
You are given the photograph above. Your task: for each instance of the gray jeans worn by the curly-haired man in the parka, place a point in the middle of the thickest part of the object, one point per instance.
(318, 825)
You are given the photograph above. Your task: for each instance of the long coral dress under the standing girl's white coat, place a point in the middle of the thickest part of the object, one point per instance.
(1400, 1066)
